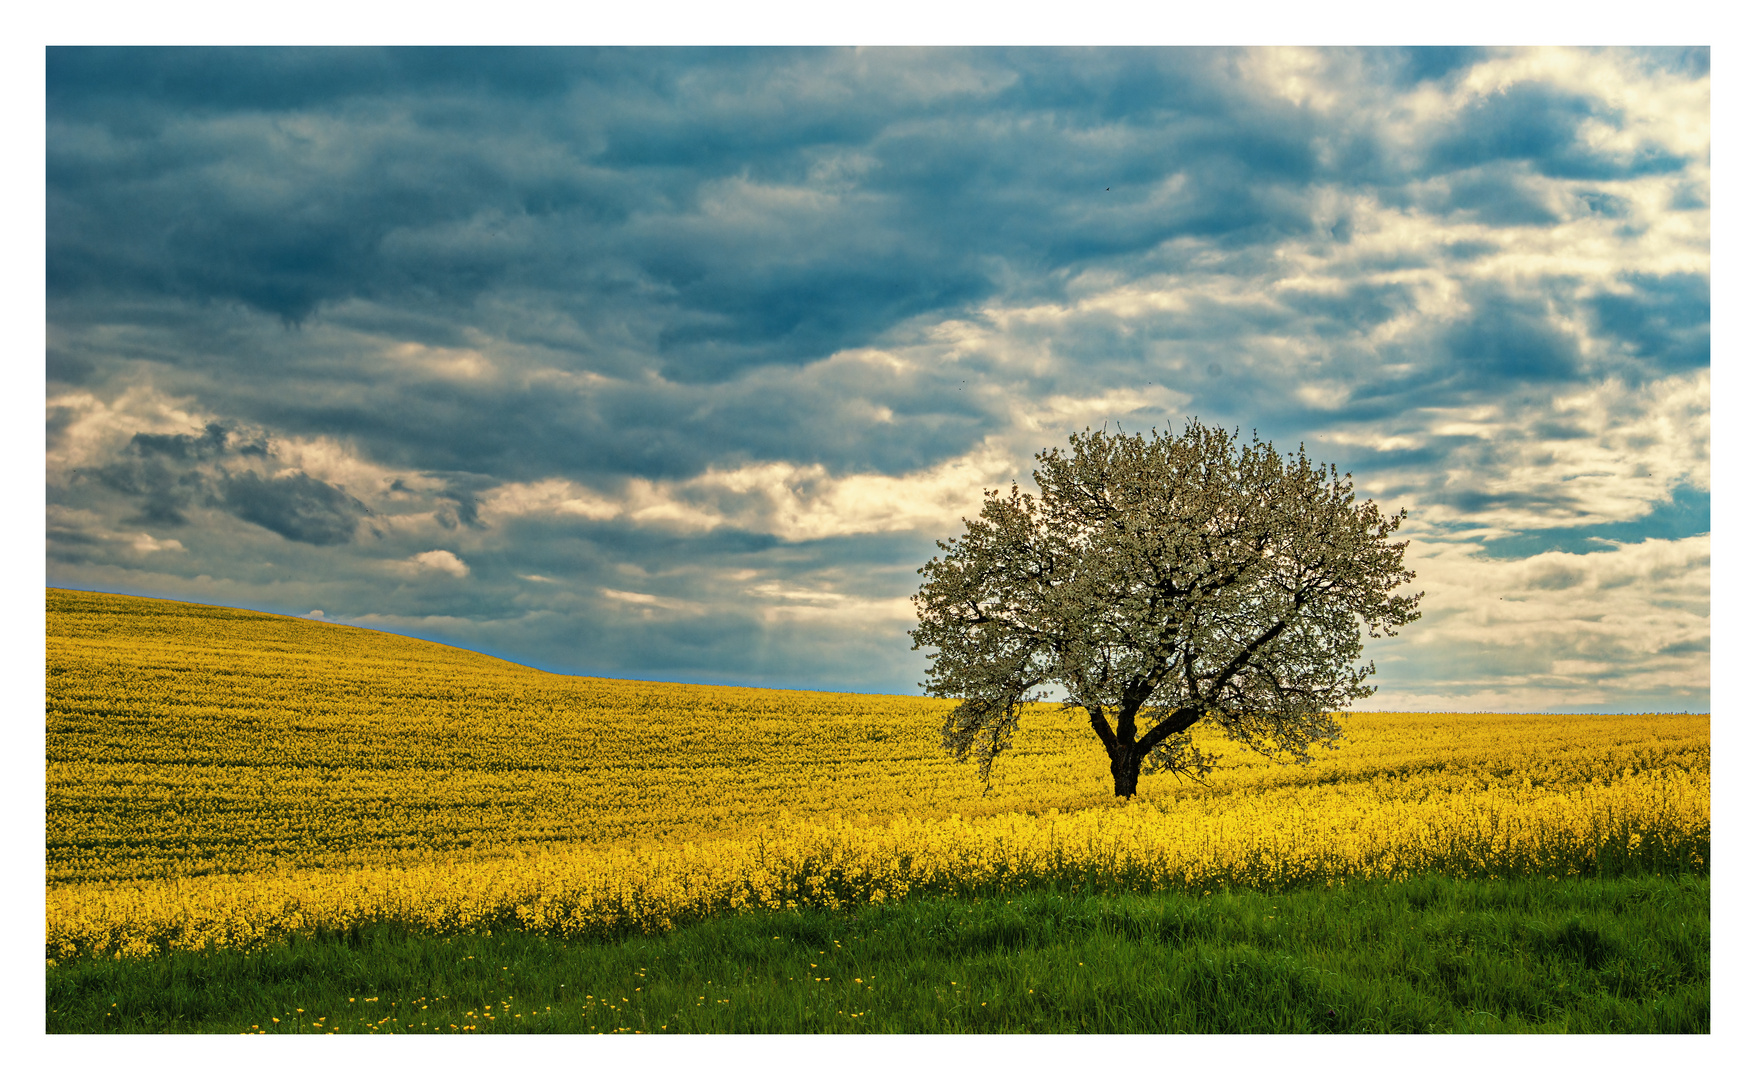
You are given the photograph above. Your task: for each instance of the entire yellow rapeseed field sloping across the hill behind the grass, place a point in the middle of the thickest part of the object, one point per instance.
(226, 779)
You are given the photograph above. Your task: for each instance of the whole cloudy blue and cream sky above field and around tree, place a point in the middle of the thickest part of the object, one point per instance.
(673, 364)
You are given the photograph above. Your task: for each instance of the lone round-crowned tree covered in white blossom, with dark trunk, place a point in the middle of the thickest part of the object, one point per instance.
(1163, 582)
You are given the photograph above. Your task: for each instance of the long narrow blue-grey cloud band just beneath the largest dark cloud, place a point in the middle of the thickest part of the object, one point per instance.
(507, 431)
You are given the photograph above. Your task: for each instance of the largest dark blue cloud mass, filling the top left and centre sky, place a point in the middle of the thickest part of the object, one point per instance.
(407, 185)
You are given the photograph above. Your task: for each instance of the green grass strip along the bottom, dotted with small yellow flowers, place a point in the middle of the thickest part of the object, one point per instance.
(1420, 956)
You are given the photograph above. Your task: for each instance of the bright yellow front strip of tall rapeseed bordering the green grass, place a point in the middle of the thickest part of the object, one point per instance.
(1267, 840)
